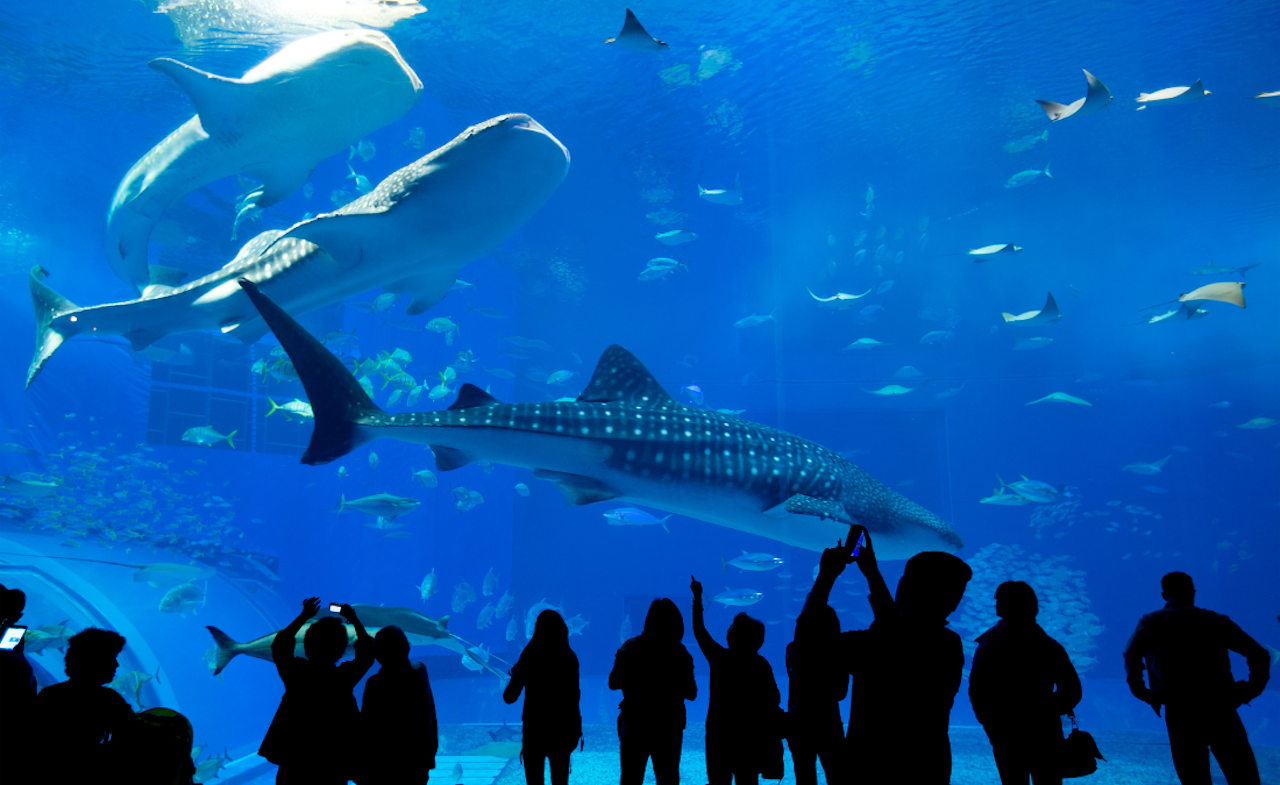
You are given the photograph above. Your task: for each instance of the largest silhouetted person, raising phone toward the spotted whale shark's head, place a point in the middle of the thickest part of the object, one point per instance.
(907, 668)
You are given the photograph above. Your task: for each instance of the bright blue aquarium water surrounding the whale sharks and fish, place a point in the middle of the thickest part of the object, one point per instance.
(808, 106)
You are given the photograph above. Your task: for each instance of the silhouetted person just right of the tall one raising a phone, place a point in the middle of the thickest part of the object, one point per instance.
(1021, 684)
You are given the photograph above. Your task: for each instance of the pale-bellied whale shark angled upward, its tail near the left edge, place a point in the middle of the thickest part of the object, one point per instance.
(412, 235)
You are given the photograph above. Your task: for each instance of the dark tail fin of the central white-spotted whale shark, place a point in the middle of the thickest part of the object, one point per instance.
(341, 407)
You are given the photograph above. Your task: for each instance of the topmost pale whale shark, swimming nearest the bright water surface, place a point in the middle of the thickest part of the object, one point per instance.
(305, 103)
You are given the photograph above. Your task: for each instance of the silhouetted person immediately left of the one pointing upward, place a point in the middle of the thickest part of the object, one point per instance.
(656, 676)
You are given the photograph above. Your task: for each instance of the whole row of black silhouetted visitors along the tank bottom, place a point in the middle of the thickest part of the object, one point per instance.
(902, 676)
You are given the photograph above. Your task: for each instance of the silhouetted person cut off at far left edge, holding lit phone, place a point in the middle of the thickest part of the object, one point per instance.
(19, 691)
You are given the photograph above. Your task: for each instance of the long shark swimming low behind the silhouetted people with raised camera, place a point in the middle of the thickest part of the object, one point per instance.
(420, 631)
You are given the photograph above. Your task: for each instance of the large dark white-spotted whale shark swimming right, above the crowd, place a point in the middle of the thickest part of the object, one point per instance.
(625, 439)
